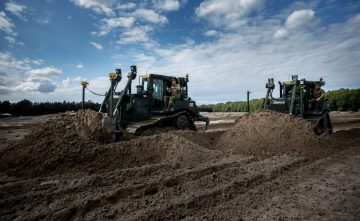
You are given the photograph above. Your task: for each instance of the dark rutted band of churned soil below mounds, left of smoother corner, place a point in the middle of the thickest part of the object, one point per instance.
(143, 193)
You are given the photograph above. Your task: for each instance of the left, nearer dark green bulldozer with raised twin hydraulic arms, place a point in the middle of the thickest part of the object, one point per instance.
(142, 112)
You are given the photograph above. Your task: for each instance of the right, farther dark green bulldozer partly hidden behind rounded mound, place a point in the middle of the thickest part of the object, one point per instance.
(296, 99)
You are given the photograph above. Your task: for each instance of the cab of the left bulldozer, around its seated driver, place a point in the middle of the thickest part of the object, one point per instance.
(155, 87)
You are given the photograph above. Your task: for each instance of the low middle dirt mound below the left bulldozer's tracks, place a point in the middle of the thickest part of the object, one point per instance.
(162, 148)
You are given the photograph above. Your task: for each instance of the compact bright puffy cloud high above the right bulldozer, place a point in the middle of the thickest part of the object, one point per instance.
(300, 18)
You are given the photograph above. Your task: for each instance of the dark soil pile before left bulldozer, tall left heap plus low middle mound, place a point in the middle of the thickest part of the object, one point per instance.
(73, 142)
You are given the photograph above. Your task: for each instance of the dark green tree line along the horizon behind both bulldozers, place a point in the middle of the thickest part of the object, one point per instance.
(340, 100)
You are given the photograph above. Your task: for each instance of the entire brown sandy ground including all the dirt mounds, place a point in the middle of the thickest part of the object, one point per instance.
(262, 166)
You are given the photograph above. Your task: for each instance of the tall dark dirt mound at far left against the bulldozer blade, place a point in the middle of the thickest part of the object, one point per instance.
(61, 139)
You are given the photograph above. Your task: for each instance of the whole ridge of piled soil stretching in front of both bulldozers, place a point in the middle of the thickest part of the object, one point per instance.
(73, 142)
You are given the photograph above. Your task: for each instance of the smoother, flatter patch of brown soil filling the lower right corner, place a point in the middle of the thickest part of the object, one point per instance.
(326, 189)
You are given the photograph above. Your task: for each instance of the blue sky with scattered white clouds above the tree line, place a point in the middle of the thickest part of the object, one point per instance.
(47, 47)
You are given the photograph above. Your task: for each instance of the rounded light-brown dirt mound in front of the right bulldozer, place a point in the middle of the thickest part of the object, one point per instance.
(269, 133)
